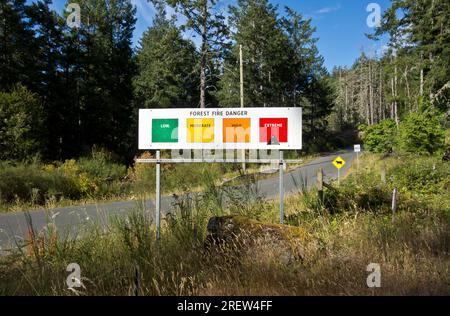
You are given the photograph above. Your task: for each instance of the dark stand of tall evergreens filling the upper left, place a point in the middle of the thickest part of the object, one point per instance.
(82, 76)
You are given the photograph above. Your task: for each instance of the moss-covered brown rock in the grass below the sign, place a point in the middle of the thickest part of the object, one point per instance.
(250, 239)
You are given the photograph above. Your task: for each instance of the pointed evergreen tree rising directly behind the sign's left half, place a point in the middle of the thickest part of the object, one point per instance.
(167, 66)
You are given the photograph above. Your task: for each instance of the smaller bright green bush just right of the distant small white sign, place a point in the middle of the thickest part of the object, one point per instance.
(379, 138)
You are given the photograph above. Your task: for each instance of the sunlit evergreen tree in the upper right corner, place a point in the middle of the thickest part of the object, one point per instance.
(422, 29)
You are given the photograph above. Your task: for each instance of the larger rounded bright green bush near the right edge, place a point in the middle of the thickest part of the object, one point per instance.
(420, 133)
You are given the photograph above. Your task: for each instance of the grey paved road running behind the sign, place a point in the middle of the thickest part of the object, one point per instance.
(13, 226)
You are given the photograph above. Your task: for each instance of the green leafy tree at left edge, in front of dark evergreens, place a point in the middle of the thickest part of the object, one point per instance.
(21, 117)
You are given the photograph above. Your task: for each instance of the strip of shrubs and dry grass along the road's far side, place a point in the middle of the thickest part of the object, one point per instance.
(101, 177)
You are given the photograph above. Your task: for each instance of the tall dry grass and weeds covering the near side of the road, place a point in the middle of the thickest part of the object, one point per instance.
(411, 247)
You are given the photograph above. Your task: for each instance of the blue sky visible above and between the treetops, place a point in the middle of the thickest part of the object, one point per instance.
(341, 25)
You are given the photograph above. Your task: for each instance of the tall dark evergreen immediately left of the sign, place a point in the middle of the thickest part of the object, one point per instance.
(104, 68)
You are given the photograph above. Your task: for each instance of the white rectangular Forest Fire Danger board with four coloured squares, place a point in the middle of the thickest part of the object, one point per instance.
(221, 128)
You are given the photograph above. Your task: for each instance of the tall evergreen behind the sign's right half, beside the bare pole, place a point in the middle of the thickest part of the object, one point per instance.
(266, 56)
